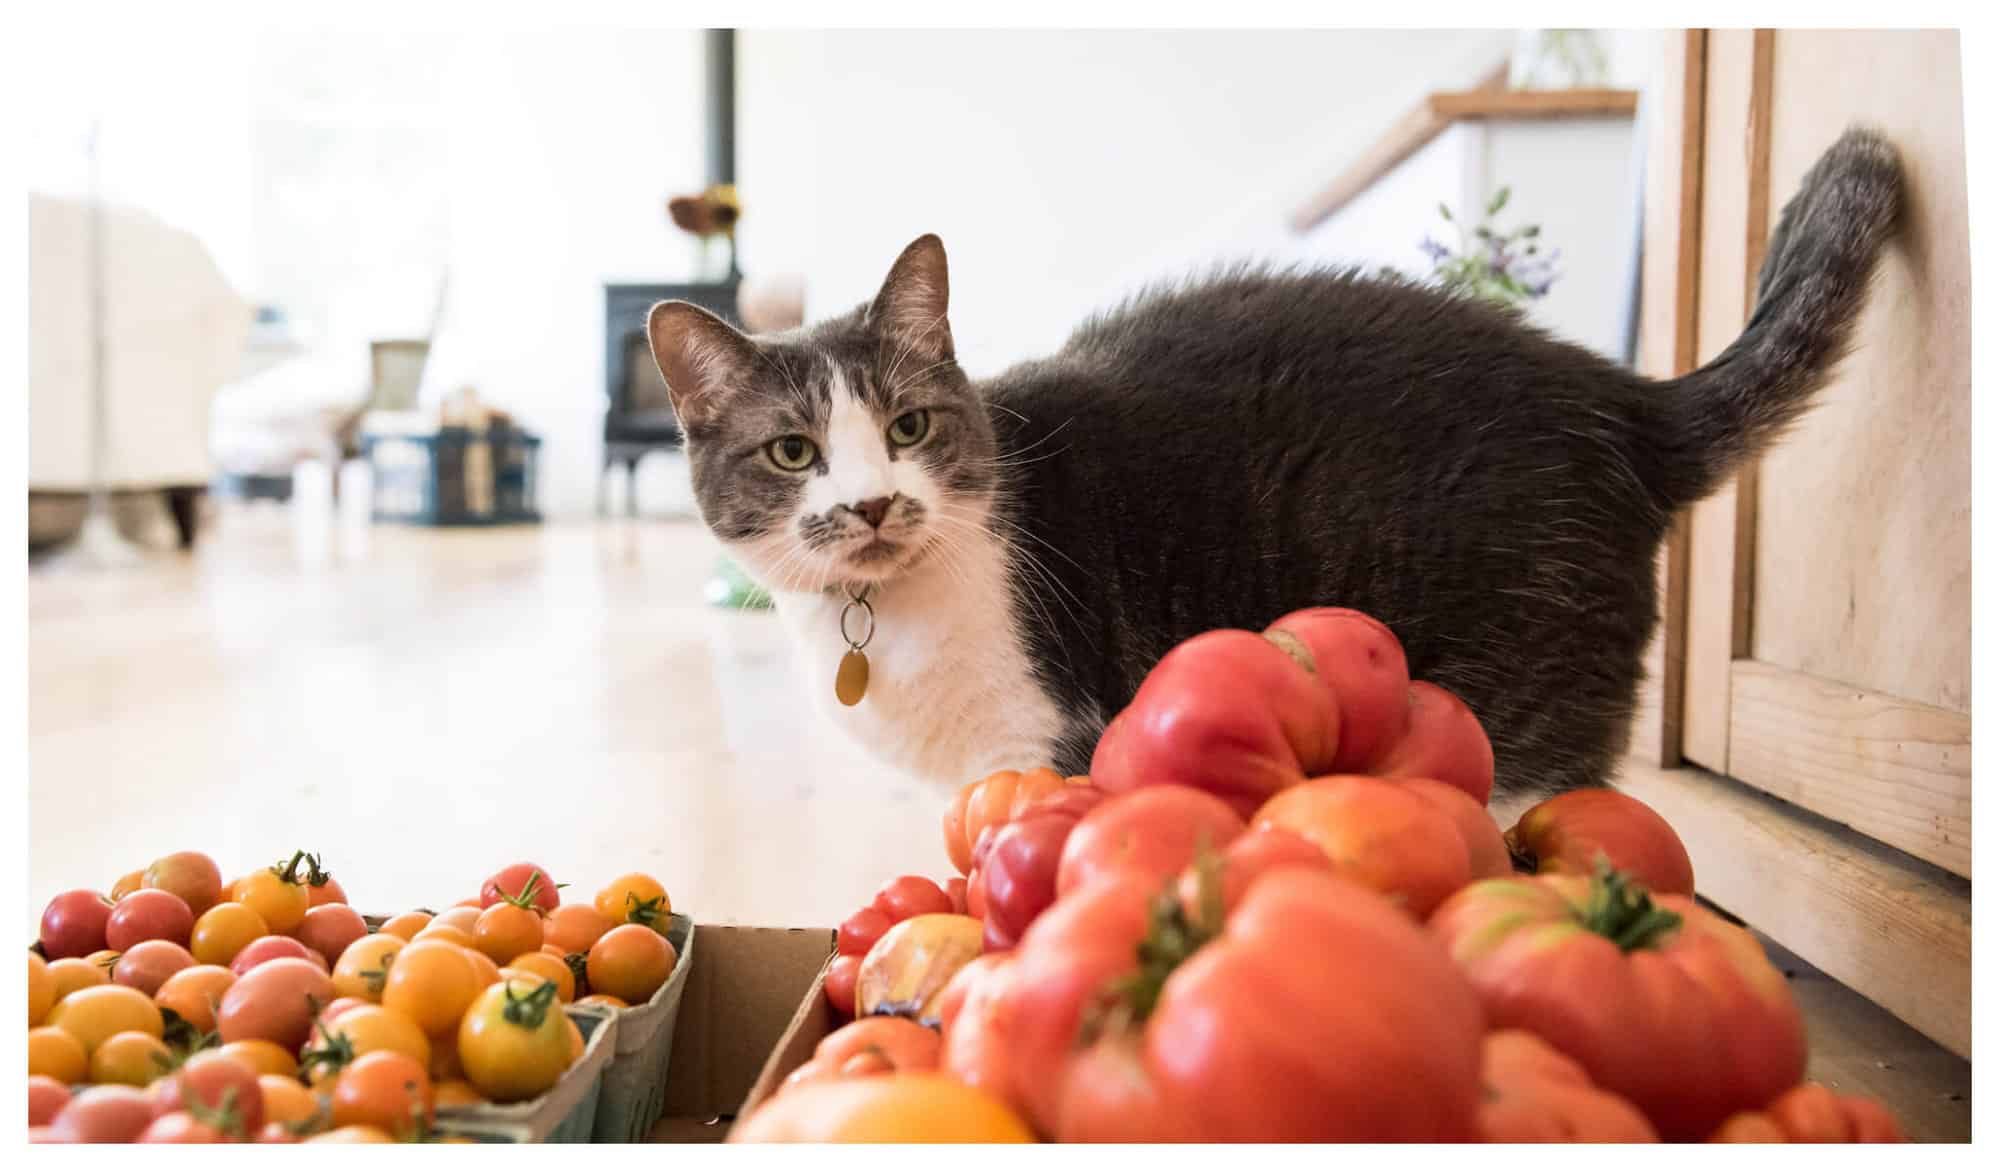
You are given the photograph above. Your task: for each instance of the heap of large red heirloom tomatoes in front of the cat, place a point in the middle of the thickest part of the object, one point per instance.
(1279, 911)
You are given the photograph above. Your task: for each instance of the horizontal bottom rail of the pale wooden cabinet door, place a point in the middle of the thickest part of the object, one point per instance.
(1891, 769)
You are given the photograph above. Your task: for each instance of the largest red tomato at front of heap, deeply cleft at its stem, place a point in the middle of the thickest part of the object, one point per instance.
(1313, 1011)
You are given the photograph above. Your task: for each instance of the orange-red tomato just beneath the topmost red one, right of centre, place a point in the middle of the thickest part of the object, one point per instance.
(1393, 837)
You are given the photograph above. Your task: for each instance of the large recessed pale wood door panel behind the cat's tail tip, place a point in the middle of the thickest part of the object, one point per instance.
(1865, 551)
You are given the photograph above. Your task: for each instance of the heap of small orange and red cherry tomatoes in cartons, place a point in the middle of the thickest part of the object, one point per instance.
(181, 1009)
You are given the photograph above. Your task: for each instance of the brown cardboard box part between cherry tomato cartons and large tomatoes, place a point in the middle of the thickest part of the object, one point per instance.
(753, 1001)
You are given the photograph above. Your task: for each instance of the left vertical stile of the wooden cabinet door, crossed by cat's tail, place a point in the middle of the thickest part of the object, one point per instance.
(1721, 311)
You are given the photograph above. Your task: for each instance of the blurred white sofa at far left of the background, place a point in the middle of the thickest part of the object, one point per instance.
(173, 337)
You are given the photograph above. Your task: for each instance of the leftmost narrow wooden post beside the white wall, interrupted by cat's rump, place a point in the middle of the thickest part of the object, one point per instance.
(1669, 285)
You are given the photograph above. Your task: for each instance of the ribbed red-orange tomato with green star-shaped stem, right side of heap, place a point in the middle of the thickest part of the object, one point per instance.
(1659, 999)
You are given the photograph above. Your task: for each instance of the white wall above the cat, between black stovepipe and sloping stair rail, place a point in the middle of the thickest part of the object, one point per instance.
(1059, 167)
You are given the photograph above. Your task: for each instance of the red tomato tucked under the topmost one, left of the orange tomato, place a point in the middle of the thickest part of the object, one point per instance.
(1155, 831)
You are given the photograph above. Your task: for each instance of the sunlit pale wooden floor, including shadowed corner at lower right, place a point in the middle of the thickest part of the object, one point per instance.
(447, 703)
